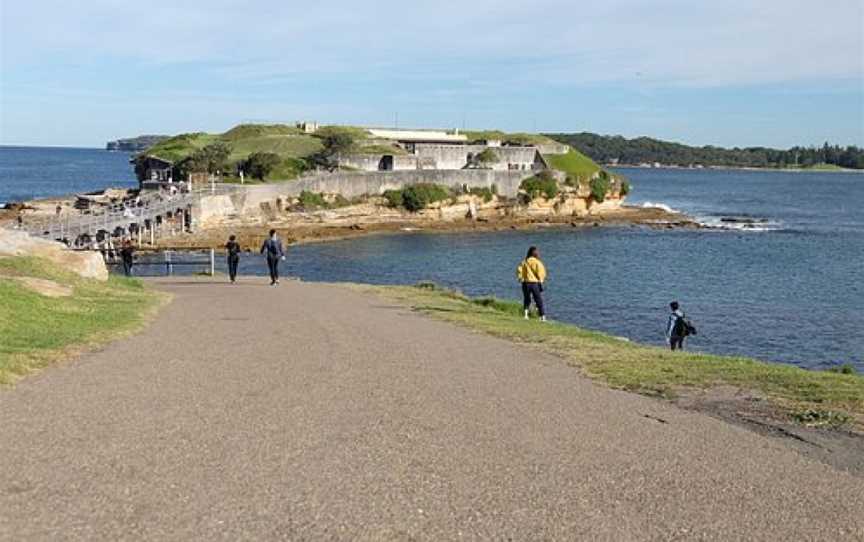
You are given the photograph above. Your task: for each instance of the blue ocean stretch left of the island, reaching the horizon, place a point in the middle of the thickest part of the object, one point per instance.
(42, 172)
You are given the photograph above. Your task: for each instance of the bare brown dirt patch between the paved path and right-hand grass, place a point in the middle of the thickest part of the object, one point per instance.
(841, 448)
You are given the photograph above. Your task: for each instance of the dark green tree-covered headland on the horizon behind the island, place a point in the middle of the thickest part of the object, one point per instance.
(609, 149)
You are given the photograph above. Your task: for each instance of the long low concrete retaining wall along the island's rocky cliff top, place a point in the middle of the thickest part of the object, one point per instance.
(354, 184)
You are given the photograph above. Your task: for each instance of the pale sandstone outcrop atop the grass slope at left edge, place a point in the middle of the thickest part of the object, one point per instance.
(86, 264)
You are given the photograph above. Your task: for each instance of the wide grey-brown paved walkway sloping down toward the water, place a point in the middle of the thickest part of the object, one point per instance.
(311, 412)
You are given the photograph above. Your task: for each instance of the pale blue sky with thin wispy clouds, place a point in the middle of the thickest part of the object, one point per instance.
(733, 72)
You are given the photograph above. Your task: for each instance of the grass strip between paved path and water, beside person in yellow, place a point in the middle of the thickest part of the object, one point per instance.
(640, 368)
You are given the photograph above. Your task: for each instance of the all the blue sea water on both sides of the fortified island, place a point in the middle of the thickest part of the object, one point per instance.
(787, 287)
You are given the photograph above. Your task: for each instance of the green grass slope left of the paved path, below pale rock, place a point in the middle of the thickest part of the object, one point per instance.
(37, 330)
